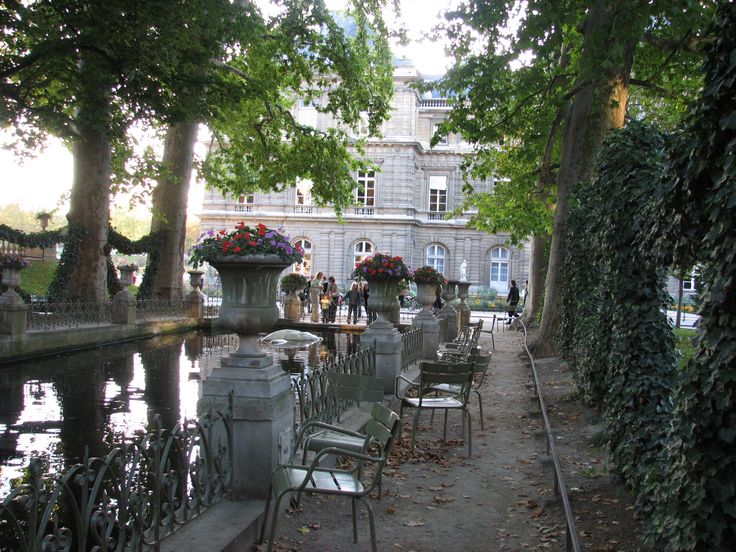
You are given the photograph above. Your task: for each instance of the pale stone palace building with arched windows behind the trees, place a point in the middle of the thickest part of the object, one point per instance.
(399, 209)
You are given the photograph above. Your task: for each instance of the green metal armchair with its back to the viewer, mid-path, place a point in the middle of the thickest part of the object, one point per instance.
(439, 373)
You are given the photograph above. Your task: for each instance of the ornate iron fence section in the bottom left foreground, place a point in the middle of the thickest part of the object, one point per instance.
(129, 500)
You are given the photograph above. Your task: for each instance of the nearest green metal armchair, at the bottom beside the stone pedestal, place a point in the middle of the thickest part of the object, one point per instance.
(316, 479)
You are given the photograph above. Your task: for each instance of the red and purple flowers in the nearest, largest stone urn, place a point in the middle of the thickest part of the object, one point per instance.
(243, 240)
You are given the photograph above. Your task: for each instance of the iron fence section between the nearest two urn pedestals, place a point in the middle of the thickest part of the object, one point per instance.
(313, 403)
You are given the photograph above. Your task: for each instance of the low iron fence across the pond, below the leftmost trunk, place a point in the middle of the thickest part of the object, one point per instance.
(44, 315)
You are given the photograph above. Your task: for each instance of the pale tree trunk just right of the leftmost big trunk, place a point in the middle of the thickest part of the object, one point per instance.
(170, 208)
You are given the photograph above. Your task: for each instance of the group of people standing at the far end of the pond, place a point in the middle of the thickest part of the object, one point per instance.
(330, 299)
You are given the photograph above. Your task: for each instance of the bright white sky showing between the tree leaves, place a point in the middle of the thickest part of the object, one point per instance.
(39, 183)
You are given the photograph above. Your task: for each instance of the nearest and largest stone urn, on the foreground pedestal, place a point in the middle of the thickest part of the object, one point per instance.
(249, 286)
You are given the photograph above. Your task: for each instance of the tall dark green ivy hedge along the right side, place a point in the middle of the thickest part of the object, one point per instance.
(655, 204)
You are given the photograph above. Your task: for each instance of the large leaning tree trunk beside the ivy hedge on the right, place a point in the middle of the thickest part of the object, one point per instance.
(596, 109)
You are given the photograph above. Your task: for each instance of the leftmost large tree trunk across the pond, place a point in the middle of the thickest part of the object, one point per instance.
(90, 194)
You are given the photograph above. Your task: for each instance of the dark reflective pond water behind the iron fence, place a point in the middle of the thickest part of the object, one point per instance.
(53, 408)
